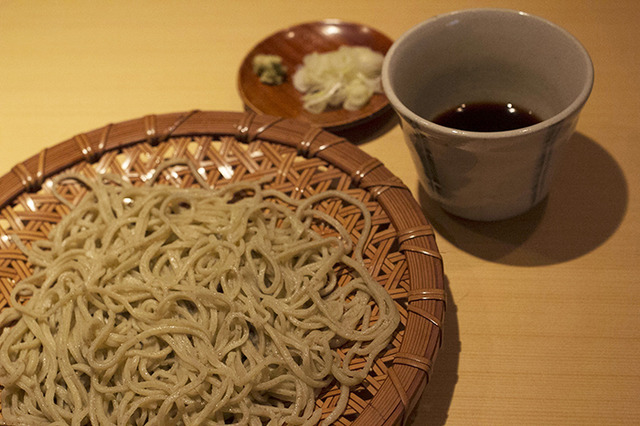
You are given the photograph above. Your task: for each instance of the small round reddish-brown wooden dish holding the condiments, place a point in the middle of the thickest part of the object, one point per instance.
(292, 44)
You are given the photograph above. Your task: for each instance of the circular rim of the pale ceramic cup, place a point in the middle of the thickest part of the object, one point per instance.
(572, 108)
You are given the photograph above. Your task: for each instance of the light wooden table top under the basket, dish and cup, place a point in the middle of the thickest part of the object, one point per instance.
(543, 325)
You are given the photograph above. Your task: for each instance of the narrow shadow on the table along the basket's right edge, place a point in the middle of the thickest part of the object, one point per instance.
(433, 407)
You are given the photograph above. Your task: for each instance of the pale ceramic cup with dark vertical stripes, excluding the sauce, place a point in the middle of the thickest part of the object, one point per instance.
(487, 55)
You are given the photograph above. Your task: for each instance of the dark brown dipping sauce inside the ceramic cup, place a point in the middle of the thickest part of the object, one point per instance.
(487, 117)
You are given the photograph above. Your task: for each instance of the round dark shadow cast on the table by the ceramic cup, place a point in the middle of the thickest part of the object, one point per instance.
(587, 203)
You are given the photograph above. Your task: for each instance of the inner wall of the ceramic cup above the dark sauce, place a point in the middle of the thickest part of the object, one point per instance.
(487, 55)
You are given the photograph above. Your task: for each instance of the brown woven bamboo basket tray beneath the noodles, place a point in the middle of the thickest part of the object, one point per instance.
(402, 253)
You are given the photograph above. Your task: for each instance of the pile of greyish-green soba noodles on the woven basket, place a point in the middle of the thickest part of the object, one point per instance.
(163, 306)
